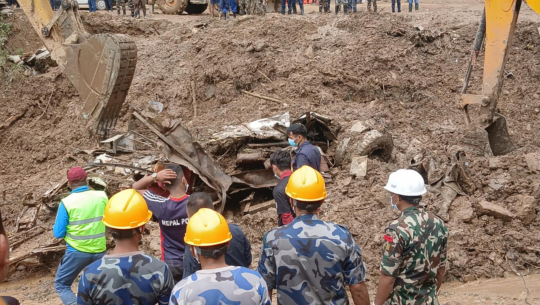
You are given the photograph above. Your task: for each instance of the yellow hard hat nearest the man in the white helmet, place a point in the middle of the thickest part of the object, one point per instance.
(306, 184)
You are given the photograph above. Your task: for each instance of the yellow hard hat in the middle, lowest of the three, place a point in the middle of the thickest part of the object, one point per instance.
(207, 228)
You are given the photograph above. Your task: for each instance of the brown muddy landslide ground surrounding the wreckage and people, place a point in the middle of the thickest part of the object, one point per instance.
(374, 68)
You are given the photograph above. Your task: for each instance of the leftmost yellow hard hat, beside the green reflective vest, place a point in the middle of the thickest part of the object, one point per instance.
(126, 210)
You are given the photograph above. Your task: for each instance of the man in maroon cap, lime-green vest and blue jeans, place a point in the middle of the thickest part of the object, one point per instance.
(78, 221)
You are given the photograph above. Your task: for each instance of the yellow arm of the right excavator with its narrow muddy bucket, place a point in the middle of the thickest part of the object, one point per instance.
(497, 27)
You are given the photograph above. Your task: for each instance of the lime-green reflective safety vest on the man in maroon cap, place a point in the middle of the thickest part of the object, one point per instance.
(85, 231)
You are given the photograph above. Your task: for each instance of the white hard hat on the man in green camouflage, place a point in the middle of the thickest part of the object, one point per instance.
(406, 182)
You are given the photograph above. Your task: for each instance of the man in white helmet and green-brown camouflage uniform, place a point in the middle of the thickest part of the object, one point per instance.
(414, 254)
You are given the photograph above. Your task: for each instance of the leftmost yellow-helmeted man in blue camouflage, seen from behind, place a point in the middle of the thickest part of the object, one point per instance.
(126, 274)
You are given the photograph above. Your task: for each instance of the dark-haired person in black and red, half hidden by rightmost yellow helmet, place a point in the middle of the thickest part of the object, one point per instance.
(281, 166)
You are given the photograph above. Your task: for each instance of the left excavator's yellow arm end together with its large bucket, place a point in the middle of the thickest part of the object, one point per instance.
(101, 67)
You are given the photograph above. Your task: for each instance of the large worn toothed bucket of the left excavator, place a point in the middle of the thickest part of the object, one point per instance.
(102, 68)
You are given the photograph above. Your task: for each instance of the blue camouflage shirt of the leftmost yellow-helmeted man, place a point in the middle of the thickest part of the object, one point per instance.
(123, 278)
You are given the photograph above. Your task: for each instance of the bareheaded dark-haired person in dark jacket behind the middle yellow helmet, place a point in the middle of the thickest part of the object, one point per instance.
(239, 251)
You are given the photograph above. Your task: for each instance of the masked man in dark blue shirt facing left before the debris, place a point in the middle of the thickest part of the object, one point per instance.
(306, 154)
